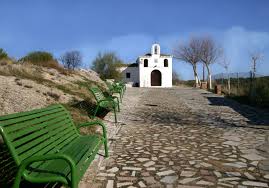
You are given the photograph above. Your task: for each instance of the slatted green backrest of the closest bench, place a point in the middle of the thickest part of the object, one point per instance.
(37, 132)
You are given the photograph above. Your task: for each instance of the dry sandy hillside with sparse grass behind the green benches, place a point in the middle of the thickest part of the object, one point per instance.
(26, 87)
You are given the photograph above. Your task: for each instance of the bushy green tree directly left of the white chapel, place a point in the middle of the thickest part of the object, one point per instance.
(106, 65)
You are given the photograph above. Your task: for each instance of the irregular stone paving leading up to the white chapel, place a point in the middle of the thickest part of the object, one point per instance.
(182, 137)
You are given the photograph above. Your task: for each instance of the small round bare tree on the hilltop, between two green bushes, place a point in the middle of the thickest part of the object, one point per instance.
(71, 60)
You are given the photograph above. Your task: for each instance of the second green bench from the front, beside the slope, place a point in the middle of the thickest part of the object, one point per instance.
(107, 102)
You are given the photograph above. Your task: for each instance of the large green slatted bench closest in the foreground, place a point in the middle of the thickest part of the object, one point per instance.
(47, 146)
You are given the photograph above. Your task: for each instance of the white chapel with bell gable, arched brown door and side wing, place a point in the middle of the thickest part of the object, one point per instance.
(150, 70)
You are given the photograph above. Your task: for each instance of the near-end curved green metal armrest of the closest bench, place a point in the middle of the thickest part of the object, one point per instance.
(25, 163)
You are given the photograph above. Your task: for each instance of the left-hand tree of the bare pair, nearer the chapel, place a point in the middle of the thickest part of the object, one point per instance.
(190, 53)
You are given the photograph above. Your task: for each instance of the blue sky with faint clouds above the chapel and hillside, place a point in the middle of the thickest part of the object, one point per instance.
(129, 27)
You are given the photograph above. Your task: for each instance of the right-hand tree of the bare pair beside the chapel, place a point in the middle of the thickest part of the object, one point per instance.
(209, 53)
